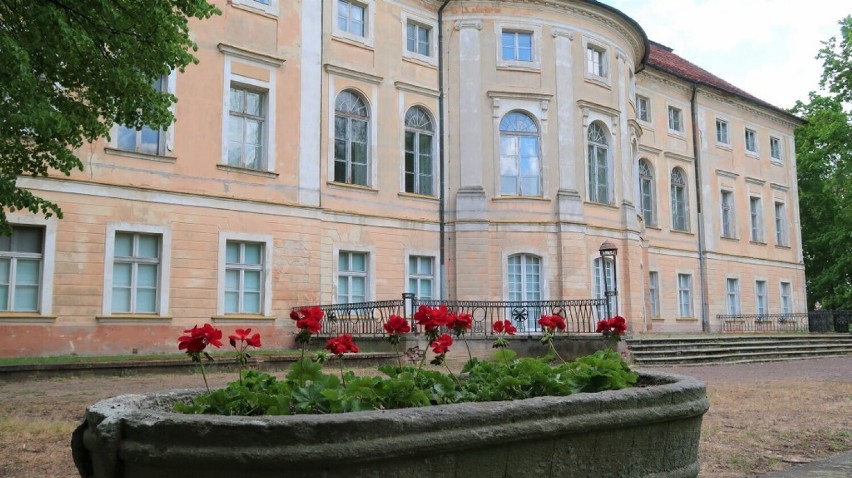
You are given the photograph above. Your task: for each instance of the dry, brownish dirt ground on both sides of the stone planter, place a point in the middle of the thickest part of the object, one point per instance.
(762, 417)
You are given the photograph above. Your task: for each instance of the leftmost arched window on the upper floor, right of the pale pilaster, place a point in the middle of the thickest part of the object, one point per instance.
(351, 130)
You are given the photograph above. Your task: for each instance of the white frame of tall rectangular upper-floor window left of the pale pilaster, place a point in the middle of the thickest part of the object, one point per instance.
(270, 103)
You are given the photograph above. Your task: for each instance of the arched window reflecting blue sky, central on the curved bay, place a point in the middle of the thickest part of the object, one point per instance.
(520, 163)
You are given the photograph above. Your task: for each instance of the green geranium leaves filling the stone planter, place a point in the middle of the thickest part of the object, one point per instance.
(306, 389)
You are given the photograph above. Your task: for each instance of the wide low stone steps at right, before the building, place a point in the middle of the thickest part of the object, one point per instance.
(651, 350)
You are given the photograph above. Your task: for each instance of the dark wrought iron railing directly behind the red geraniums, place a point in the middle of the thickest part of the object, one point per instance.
(368, 318)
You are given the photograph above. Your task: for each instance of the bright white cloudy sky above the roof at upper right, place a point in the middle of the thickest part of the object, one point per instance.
(765, 47)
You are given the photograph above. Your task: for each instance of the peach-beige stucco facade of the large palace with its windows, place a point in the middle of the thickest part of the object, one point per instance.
(498, 210)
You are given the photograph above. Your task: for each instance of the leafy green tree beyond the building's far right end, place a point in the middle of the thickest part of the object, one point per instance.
(824, 155)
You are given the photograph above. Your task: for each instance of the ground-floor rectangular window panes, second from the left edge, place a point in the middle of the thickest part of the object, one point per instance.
(136, 273)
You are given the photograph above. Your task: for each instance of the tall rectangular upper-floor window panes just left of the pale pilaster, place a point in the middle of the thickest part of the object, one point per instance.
(246, 128)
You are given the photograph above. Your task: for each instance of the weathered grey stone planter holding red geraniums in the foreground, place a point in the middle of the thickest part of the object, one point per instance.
(647, 431)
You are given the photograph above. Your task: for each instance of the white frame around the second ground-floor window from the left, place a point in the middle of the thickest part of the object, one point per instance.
(165, 264)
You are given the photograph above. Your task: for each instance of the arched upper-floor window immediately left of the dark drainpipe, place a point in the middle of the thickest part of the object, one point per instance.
(419, 133)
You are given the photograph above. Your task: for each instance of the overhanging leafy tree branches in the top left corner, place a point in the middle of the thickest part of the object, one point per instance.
(73, 68)
